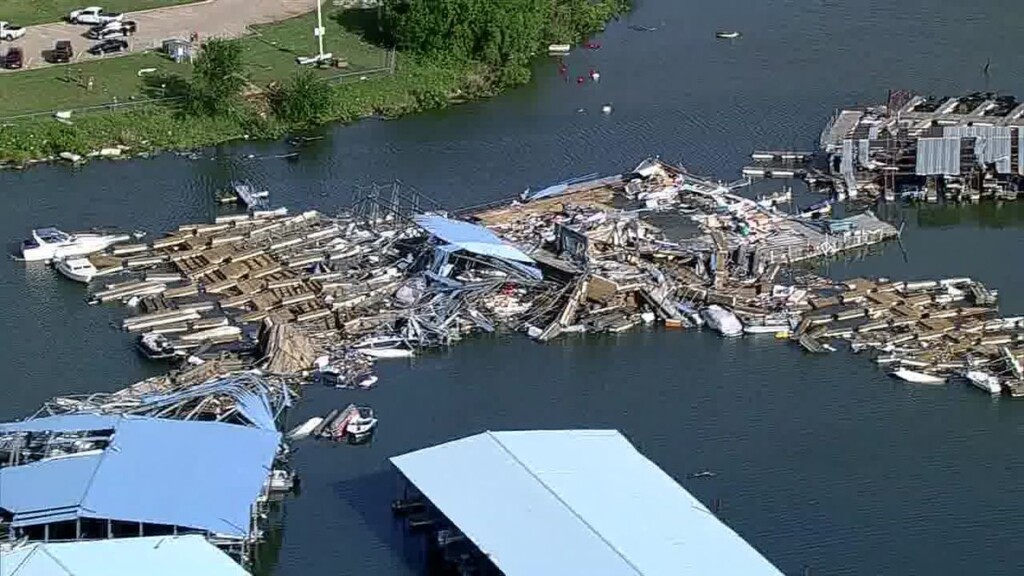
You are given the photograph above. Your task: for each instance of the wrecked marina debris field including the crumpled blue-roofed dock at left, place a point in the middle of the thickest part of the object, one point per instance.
(252, 307)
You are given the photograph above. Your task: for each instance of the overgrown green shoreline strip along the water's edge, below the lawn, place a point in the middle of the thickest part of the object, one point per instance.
(417, 84)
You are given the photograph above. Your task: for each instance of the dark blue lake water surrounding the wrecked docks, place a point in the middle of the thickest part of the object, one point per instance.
(822, 462)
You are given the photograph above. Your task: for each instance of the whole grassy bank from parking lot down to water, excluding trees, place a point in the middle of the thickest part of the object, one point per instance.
(420, 81)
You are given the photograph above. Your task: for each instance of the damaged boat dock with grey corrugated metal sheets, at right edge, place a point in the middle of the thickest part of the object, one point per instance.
(915, 147)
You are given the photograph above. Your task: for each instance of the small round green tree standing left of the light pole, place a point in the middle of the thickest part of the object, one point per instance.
(219, 78)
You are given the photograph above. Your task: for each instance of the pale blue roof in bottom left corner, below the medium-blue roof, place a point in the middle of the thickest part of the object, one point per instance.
(161, 556)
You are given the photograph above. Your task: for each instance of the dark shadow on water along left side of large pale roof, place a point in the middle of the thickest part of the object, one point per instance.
(371, 497)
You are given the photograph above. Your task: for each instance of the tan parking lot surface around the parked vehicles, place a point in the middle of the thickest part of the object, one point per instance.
(210, 19)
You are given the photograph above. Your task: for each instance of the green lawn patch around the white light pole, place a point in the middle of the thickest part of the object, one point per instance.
(272, 52)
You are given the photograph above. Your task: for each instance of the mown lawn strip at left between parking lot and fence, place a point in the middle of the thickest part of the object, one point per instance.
(66, 87)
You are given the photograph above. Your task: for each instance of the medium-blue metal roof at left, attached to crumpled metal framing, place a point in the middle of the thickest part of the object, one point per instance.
(196, 475)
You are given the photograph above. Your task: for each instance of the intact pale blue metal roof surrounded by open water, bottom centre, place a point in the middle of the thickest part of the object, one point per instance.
(575, 503)
